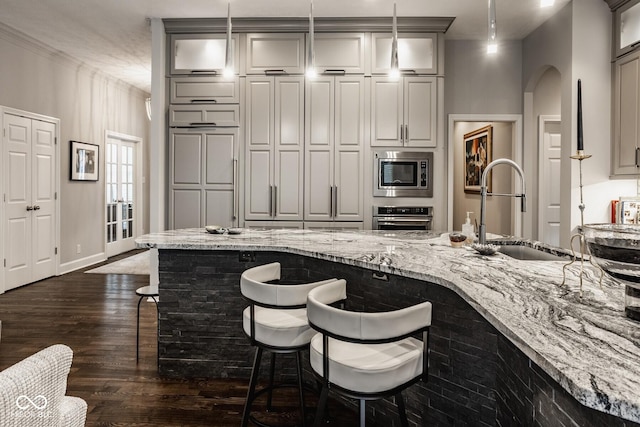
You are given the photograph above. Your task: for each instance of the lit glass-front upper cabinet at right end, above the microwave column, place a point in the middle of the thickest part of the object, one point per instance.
(417, 53)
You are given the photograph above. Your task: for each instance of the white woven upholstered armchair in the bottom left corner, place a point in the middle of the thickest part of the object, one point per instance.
(32, 392)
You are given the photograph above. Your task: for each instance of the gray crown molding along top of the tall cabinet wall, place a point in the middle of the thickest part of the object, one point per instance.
(291, 25)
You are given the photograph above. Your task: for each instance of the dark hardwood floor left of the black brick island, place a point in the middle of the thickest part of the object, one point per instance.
(95, 315)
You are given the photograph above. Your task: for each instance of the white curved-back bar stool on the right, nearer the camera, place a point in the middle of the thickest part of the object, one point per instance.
(366, 356)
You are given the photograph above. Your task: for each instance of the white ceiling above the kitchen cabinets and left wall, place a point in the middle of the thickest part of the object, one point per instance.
(114, 36)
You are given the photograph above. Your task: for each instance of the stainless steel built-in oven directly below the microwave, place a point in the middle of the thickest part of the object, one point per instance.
(402, 217)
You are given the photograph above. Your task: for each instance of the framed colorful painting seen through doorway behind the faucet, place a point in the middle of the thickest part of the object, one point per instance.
(477, 155)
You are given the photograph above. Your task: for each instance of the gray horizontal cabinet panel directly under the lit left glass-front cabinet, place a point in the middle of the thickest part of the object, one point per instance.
(207, 90)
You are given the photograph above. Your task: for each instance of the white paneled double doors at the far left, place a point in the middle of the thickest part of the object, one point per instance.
(30, 199)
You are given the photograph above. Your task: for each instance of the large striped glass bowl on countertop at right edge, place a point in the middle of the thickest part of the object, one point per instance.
(616, 249)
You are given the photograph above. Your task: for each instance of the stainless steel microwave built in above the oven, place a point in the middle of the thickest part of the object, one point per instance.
(403, 174)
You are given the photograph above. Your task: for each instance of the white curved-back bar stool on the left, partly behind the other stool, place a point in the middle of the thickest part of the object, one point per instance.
(276, 321)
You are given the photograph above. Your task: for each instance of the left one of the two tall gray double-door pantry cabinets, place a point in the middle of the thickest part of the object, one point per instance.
(274, 141)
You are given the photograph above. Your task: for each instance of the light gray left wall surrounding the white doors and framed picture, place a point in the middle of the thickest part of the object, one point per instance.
(36, 79)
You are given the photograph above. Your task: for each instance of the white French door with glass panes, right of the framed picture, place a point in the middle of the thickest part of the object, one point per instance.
(122, 193)
